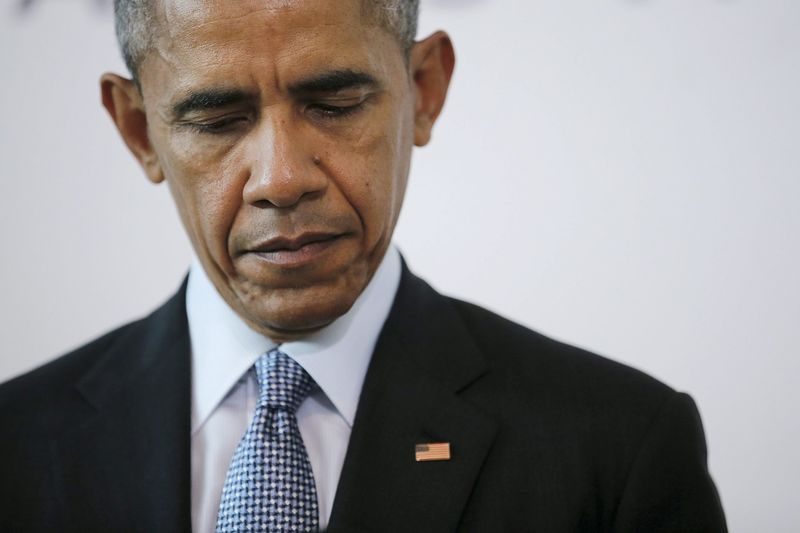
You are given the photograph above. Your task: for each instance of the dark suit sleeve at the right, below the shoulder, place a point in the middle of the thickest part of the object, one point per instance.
(669, 488)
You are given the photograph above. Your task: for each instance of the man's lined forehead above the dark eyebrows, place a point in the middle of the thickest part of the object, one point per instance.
(204, 41)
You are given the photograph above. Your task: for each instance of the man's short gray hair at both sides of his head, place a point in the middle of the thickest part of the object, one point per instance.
(135, 22)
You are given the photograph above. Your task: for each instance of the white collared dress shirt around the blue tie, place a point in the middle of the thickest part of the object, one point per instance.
(224, 388)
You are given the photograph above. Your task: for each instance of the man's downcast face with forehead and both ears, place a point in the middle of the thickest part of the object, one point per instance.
(284, 130)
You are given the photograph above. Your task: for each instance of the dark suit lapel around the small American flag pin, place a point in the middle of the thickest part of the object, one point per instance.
(423, 359)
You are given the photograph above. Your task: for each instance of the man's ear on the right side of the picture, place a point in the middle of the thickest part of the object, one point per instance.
(432, 62)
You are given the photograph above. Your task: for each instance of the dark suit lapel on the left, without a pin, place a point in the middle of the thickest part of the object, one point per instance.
(127, 466)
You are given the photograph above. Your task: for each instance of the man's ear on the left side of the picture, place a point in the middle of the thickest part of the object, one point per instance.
(123, 101)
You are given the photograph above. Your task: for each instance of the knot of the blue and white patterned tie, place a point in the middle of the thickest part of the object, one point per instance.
(283, 384)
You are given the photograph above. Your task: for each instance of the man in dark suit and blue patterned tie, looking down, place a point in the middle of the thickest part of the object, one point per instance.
(303, 378)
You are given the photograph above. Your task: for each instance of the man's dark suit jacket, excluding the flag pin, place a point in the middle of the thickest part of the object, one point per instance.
(545, 437)
